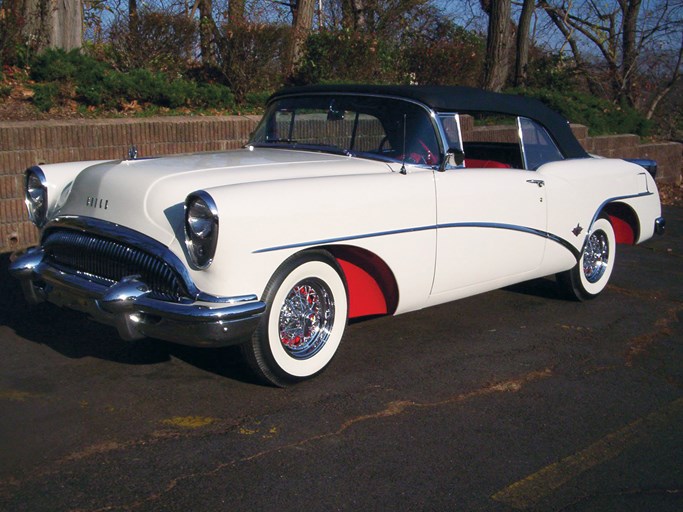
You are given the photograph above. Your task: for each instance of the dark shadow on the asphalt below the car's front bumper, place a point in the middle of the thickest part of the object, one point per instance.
(76, 336)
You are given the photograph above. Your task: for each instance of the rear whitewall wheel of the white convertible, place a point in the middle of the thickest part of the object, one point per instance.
(590, 276)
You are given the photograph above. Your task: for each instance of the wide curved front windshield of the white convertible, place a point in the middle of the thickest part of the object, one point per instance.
(367, 126)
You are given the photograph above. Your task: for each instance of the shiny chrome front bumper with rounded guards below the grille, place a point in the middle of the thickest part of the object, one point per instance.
(127, 306)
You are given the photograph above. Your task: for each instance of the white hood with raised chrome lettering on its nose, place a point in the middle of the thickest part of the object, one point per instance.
(148, 195)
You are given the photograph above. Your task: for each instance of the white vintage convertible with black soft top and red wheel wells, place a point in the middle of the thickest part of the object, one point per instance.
(348, 201)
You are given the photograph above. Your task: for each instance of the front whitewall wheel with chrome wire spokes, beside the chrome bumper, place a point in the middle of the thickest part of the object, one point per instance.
(305, 317)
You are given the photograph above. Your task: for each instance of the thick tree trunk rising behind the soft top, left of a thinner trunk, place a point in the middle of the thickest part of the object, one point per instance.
(496, 64)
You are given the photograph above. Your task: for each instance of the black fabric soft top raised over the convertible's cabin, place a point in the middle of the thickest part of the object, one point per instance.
(462, 100)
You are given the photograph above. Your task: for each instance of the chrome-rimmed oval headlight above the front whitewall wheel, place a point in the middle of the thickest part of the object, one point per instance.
(201, 228)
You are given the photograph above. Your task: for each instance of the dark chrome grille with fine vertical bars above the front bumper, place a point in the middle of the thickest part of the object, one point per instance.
(110, 261)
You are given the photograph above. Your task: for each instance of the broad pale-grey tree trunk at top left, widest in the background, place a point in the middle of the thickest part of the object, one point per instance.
(53, 23)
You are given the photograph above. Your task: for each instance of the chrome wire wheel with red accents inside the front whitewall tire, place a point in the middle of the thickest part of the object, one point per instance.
(306, 318)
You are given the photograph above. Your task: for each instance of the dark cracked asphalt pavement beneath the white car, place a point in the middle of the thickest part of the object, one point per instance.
(510, 400)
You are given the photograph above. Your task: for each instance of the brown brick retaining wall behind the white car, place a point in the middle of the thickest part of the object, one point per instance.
(23, 144)
